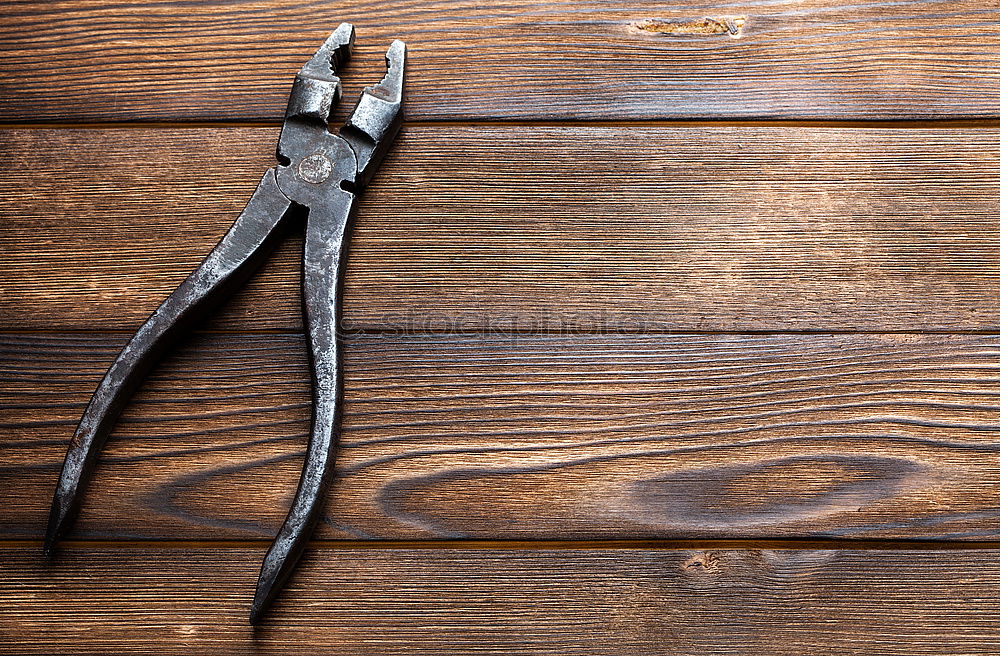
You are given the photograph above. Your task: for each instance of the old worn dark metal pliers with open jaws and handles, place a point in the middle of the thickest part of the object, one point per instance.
(318, 174)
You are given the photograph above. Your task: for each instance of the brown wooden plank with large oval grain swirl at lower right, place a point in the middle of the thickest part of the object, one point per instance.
(580, 437)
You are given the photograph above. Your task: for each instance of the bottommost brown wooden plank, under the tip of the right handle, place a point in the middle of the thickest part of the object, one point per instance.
(796, 602)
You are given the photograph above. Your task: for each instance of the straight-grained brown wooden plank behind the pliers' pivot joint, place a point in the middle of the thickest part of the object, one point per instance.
(558, 228)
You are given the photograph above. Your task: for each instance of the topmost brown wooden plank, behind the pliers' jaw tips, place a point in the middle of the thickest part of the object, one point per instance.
(516, 60)
